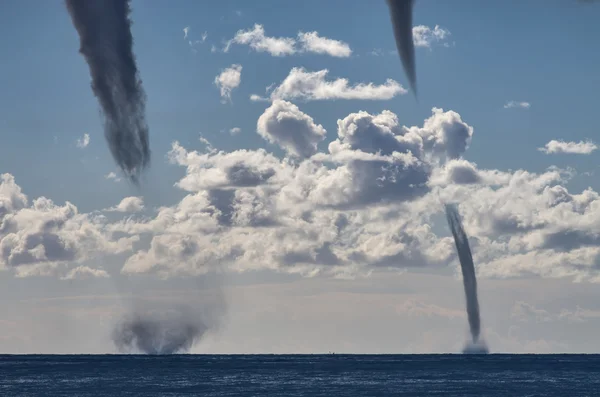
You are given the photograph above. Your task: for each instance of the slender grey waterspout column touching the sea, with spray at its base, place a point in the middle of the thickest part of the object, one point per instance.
(469, 279)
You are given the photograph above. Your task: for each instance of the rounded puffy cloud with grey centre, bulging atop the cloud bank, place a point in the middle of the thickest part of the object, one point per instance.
(285, 125)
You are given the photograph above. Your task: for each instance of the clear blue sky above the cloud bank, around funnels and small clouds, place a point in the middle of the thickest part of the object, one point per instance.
(537, 52)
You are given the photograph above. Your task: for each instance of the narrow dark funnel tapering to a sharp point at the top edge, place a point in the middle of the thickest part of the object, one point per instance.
(401, 13)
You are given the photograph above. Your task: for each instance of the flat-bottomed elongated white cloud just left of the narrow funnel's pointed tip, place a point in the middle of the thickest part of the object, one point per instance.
(312, 86)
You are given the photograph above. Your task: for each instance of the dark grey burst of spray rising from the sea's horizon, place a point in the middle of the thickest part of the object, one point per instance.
(167, 332)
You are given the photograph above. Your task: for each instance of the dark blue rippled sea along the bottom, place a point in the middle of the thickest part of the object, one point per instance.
(306, 375)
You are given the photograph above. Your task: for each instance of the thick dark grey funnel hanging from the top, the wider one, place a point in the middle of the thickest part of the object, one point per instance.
(106, 43)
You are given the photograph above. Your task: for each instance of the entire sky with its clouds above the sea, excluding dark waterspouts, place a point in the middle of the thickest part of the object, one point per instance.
(296, 184)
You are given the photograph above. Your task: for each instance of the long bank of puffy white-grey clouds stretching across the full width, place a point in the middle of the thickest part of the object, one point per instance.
(370, 199)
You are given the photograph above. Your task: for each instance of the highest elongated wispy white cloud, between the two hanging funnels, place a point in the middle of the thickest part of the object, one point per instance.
(307, 42)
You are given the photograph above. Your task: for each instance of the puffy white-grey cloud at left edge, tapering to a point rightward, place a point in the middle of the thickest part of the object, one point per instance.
(36, 237)
